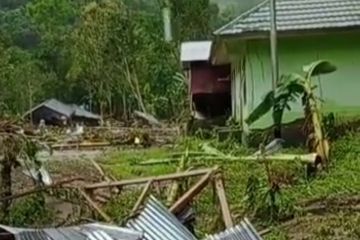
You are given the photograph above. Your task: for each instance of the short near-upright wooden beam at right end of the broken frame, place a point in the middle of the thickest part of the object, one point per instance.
(225, 210)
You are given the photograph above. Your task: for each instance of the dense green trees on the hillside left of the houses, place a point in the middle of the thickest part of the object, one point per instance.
(107, 54)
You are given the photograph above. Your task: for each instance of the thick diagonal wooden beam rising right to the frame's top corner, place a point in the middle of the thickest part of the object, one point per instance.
(191, 193)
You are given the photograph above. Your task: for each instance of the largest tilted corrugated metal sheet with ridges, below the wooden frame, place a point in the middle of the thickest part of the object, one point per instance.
(157, 223)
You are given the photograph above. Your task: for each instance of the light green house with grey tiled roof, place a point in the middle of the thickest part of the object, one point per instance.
(308, 30)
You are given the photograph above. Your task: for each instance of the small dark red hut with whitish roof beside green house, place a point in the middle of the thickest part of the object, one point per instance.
(209, 85)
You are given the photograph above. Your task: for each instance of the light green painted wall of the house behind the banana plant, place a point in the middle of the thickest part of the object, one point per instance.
(340, 90)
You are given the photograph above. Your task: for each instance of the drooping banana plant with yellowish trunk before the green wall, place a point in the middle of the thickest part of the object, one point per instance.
(291, 88)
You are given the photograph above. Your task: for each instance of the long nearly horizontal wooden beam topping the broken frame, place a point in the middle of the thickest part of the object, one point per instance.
(144, 180)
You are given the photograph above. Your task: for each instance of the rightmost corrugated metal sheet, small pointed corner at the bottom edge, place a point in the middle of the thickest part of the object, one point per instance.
(244, 231)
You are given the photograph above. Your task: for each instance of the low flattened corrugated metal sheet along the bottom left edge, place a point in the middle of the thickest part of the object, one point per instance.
(83, 232)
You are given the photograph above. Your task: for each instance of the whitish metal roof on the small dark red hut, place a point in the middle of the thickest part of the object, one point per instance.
(195, 51)
